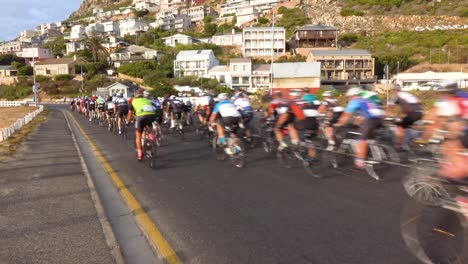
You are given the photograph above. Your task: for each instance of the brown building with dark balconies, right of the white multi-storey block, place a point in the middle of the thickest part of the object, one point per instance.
(309, 37)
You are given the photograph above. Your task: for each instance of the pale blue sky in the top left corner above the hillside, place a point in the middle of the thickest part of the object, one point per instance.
(19, 15)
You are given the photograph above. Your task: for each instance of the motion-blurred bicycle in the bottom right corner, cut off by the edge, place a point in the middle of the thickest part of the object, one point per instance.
(427, 236)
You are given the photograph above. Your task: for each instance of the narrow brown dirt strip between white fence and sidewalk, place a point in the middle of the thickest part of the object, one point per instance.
(9, 146)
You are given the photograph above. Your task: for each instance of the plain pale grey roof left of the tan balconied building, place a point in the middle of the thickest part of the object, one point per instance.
(296, 69)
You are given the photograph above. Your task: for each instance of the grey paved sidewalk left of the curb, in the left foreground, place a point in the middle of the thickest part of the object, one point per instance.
(47, 214)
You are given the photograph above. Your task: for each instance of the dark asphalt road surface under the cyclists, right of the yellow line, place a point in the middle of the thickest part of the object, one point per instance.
(212, 212)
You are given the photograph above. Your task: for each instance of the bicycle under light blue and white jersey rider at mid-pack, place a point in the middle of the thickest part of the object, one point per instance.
(233, 148)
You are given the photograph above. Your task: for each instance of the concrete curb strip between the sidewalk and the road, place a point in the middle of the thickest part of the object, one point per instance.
(109, 235)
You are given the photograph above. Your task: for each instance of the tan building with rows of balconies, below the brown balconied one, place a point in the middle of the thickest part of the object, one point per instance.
(344, 66)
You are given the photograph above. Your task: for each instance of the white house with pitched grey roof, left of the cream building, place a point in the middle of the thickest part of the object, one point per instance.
(194, 63)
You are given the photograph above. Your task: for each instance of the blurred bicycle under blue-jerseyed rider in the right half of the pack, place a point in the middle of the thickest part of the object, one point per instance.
(380, 154)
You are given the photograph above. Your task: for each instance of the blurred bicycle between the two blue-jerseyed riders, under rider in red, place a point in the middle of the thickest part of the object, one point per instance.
(310, 152)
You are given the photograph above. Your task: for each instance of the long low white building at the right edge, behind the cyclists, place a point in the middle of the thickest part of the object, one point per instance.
(415, 81)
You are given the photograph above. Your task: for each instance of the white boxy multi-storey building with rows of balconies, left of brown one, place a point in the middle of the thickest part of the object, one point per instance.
(264, 42)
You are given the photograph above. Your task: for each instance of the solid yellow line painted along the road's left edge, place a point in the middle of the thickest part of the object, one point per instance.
(152, 232)
